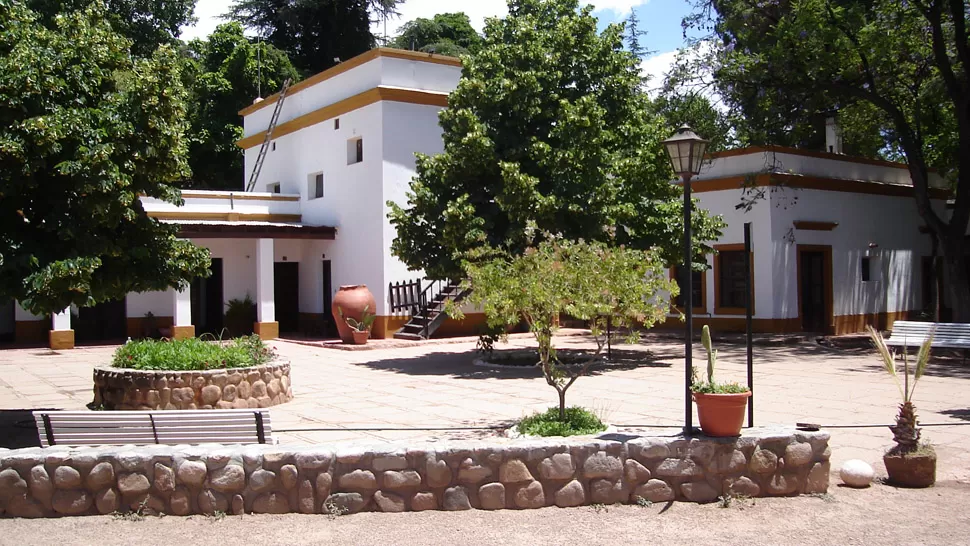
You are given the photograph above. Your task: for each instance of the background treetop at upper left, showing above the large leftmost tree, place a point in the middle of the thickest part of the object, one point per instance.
(147, 23)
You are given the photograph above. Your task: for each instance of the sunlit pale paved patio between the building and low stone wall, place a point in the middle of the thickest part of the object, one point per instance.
(398, 393)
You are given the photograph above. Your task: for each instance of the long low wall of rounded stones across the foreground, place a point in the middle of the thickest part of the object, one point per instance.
(184, 480)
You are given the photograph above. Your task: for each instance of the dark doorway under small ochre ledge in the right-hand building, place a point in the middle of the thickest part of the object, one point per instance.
(815, 288)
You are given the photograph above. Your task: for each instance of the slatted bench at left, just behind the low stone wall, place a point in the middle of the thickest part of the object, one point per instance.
(86, 428)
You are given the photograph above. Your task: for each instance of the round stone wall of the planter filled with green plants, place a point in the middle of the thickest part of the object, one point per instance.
(239, 388)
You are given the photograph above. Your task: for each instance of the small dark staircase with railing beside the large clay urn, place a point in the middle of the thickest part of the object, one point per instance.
(427, 305)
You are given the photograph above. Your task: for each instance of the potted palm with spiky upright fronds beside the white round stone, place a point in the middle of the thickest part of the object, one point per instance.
(909, 463)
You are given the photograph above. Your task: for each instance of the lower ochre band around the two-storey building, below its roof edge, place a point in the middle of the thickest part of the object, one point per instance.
(361, 100)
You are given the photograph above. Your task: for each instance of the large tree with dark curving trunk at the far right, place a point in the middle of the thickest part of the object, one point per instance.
(904, 67)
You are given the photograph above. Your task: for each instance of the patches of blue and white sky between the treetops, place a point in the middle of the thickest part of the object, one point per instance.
(659, 18)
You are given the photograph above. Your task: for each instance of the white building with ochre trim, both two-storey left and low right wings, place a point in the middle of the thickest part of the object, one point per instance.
(836, 246)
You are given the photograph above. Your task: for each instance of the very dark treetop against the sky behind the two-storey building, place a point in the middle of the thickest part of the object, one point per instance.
(316, 34)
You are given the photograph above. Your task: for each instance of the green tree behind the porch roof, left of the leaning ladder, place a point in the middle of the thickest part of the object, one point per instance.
(225, 73)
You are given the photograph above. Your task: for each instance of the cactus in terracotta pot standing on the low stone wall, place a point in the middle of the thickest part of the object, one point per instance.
(720, 406)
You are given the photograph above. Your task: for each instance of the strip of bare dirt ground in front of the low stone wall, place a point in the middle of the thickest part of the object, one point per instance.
(874, 516)
